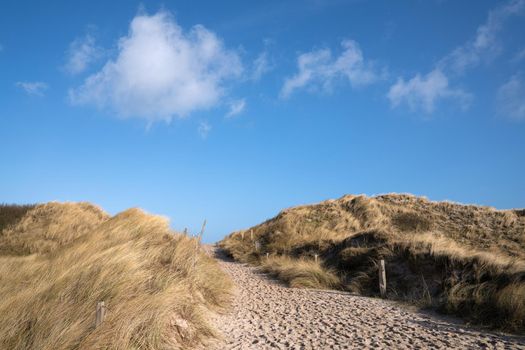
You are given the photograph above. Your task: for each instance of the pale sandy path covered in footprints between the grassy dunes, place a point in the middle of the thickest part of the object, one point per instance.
(267, 315)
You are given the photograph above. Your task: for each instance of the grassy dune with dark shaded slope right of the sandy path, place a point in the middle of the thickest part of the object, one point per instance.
(461, 259)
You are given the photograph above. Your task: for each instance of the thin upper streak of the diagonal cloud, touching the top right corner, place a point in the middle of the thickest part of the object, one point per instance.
(485, 45)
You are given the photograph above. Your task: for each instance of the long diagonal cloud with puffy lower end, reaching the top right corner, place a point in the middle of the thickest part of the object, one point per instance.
(422, 92)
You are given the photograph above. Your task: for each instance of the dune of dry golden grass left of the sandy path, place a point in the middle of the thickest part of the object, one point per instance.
(60, 259)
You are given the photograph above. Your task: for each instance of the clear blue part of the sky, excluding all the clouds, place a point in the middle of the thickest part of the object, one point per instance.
(279, 152)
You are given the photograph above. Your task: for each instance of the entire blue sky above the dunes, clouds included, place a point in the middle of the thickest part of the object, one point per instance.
(233, 110)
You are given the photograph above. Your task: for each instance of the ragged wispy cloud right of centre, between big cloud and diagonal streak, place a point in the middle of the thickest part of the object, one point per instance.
(318, 70)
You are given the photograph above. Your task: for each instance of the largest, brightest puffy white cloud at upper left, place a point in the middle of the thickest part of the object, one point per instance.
(161, 71)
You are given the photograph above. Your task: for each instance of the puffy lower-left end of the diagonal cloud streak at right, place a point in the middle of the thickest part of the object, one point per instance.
(422, 93)
